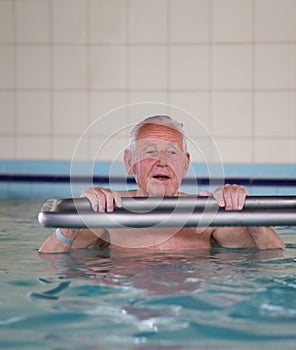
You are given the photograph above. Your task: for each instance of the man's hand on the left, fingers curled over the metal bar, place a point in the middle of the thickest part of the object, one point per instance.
(102, 199)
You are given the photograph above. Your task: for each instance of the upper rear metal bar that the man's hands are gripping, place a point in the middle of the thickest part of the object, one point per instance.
(144, 204)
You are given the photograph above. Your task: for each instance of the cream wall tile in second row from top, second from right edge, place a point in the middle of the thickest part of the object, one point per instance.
(232, 67)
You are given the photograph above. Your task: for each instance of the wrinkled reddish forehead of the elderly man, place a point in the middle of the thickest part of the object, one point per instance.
(163, 133)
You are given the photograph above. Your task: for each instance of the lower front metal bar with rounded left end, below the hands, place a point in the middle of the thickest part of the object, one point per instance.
(164, 218)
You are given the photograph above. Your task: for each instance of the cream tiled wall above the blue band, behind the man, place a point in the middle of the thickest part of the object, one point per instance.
(231, 63)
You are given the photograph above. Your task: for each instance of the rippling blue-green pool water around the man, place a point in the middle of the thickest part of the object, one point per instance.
(97, 299)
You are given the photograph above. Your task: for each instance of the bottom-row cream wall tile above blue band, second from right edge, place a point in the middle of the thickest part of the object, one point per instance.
(235, 150)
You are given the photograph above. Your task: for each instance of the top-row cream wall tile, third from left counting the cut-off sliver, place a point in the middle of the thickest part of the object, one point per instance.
(69, 21)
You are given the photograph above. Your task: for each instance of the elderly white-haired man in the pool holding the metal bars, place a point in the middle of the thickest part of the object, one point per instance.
(158, 159)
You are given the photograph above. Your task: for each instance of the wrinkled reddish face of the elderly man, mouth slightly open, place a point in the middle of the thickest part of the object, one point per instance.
(159, 162)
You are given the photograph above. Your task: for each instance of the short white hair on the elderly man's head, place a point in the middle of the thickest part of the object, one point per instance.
(157, 119)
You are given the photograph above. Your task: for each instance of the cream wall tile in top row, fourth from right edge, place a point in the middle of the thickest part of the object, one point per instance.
(147, 21)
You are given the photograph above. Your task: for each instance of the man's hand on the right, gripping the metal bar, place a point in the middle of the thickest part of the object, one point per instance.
(232, 197)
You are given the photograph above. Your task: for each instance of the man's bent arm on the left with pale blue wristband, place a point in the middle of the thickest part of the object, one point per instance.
(62, 240)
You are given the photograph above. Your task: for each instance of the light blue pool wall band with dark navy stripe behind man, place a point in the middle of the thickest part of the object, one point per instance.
(55, 179)
